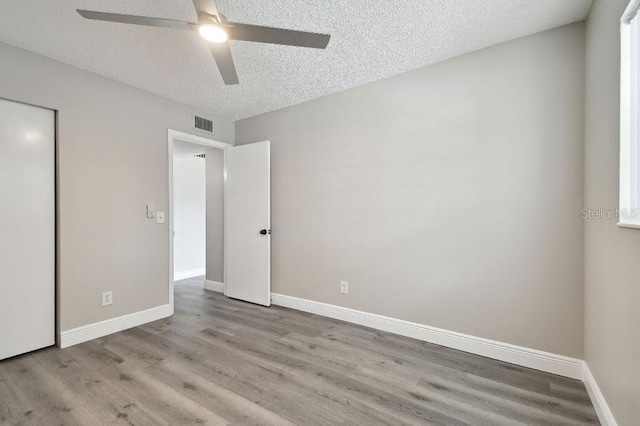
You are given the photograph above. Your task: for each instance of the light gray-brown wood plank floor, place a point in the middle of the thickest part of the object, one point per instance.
(221, 361)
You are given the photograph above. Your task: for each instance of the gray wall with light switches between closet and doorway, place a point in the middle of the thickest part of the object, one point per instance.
(113, 160)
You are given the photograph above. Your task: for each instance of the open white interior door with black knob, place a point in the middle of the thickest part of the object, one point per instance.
(247, 218)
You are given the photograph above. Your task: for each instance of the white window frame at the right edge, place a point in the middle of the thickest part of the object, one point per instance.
(629, 208)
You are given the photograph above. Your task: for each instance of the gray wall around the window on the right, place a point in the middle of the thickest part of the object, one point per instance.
(612, 277)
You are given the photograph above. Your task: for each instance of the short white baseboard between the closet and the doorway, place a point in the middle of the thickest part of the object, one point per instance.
(104, 328)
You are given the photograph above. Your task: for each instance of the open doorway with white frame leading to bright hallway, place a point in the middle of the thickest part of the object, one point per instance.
(196, 211)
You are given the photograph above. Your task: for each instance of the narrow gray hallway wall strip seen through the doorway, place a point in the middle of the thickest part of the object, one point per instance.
(215, 214)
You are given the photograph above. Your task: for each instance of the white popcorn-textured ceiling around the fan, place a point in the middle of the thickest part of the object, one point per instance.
(371, 40)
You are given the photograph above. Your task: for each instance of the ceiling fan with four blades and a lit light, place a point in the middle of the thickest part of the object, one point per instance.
(214, 27)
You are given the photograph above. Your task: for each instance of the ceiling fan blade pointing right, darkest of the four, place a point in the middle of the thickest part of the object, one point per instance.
(256, 33)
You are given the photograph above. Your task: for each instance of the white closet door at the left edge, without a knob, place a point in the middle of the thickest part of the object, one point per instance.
(27, 228)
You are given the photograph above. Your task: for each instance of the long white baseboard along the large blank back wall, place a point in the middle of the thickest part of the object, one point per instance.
(531, 358)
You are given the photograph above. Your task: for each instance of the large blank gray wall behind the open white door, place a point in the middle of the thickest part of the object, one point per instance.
(449, 196)
